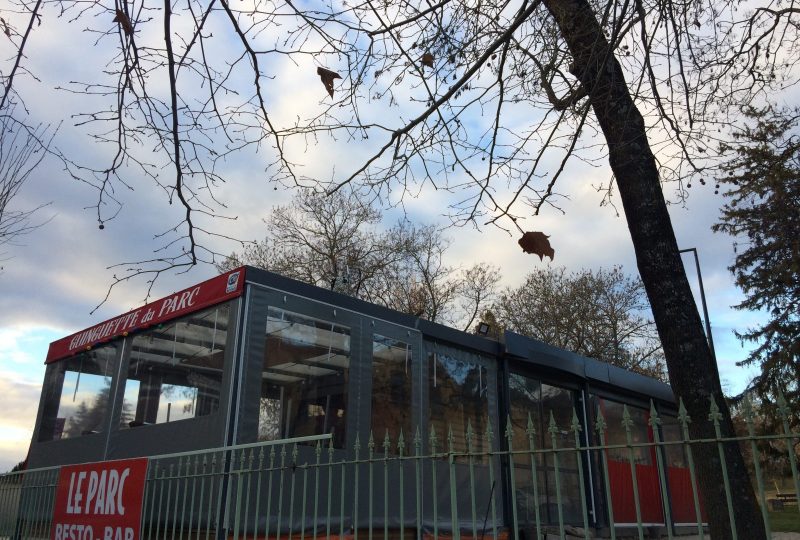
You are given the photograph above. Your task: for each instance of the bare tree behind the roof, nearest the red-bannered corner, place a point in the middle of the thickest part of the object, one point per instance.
(334, 241)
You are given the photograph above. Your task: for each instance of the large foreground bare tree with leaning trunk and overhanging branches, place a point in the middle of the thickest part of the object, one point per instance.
(488, 100)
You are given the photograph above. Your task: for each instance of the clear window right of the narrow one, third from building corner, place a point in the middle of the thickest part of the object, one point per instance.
(458, 398)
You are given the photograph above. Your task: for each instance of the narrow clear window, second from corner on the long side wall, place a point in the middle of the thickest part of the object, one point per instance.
(391, 391)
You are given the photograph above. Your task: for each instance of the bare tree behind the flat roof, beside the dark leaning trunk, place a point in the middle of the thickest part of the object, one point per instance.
(602, 314)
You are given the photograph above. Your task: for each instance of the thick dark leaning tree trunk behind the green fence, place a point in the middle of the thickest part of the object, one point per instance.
(692, 370)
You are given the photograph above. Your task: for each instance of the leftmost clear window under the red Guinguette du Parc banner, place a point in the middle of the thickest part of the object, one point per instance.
(85, 386)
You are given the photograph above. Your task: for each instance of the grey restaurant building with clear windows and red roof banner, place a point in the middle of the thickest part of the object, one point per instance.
(252, 356)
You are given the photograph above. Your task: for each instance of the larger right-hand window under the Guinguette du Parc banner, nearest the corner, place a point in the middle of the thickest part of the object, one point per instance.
(175, 369)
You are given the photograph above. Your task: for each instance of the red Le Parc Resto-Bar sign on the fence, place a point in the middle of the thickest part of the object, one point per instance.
(99, 501)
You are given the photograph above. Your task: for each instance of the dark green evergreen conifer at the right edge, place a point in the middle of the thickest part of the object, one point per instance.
(763, 213)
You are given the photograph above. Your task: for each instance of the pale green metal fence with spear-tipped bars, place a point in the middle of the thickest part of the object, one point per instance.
(625, 480)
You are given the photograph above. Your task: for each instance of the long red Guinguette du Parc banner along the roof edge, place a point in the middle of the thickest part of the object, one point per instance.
(215, 290)
